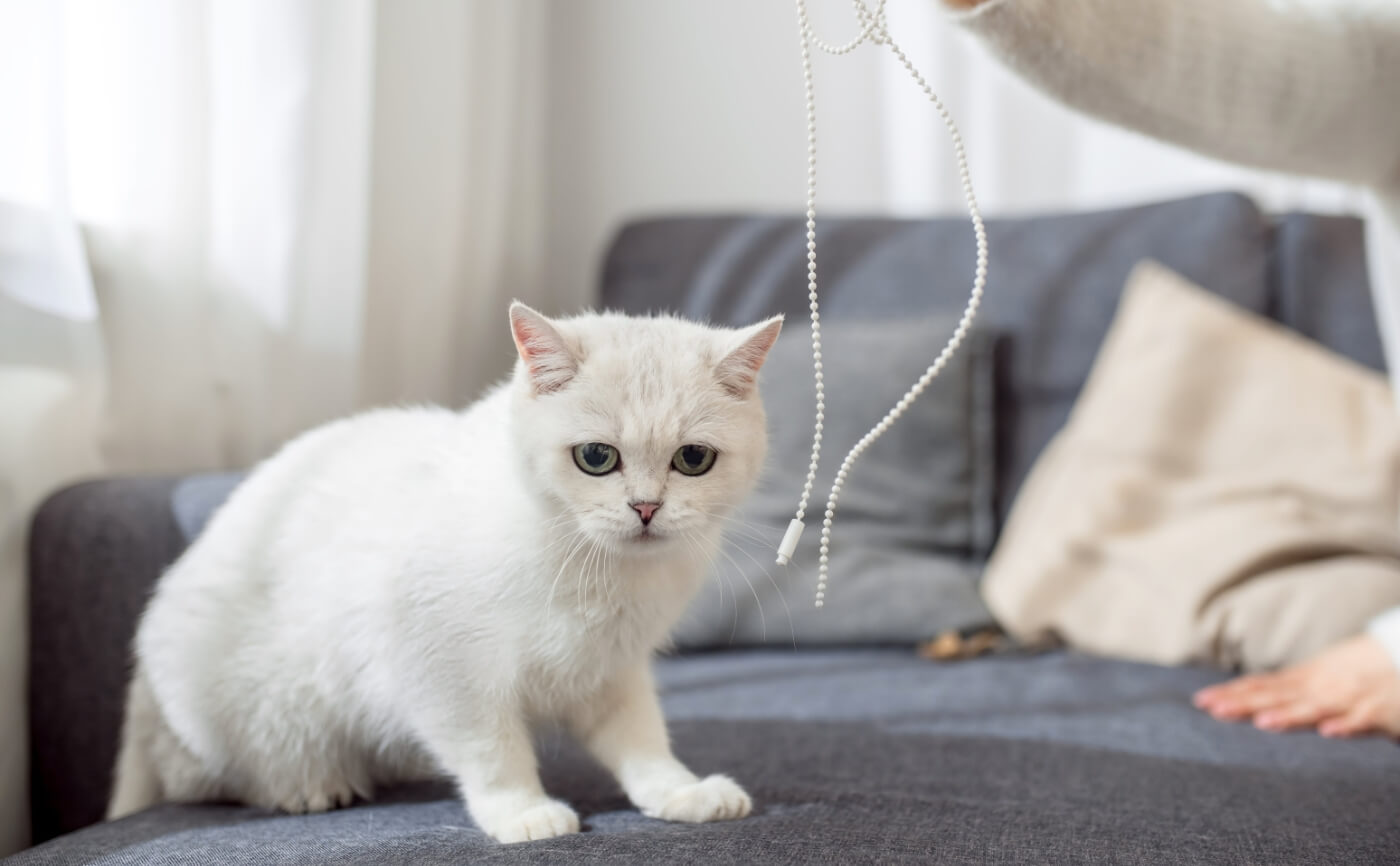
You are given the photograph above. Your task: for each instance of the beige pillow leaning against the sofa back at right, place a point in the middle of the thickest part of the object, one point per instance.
(1224, 493)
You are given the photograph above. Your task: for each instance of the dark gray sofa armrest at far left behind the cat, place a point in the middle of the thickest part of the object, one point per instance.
(94, 553)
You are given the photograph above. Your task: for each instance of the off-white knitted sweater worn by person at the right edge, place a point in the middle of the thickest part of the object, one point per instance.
(1310, 87)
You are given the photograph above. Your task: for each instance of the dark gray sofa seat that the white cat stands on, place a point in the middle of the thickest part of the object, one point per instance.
(876, 756)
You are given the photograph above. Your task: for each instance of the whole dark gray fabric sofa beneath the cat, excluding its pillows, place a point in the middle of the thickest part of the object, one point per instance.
(853, 753)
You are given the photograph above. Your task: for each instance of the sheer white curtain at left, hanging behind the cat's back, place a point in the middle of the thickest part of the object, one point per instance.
(223, 222)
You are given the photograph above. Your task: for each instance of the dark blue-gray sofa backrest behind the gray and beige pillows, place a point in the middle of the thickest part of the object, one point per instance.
(1053, 285)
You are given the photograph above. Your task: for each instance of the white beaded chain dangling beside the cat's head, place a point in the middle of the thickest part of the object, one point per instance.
(876, 31)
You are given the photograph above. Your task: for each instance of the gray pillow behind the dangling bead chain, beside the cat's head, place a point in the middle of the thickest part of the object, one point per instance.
(916, 518)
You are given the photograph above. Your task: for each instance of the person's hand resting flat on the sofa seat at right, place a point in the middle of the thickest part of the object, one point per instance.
(1349, 690)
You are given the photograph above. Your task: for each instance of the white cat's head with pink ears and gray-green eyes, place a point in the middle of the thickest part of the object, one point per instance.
(646, 432)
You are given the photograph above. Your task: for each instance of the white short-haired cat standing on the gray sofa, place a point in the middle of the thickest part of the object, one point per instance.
(408, 592)
